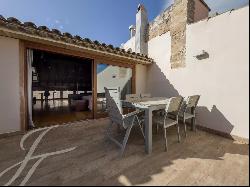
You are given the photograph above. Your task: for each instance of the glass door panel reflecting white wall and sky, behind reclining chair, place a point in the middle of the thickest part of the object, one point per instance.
(111, 76)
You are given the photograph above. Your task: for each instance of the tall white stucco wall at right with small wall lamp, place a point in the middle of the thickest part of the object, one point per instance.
(221, 80)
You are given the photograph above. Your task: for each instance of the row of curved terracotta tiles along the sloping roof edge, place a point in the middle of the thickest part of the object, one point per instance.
(43, 31)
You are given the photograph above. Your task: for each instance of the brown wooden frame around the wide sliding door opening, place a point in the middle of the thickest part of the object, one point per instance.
(24, 45)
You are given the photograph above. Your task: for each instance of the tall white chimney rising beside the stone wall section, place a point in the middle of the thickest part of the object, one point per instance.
(141, 45)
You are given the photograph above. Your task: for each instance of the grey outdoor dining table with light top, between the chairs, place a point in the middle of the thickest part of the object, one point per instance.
(148, 105)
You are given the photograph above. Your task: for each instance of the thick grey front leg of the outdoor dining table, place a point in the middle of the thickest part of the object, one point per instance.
(148, 129)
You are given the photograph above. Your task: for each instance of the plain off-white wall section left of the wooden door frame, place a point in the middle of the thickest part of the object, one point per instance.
(9, 85)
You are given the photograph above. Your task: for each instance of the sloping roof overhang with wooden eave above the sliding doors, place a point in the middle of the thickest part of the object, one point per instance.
(35, 36)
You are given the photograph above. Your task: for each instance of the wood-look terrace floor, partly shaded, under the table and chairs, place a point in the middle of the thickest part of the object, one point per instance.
(200, 159)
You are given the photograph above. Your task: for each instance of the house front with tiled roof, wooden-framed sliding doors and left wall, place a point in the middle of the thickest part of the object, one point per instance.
(37, 48)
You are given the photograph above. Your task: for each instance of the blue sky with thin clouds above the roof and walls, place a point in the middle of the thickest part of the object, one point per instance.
(103, 20)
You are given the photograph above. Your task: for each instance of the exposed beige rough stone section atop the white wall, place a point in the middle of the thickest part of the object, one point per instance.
(174, 19)
